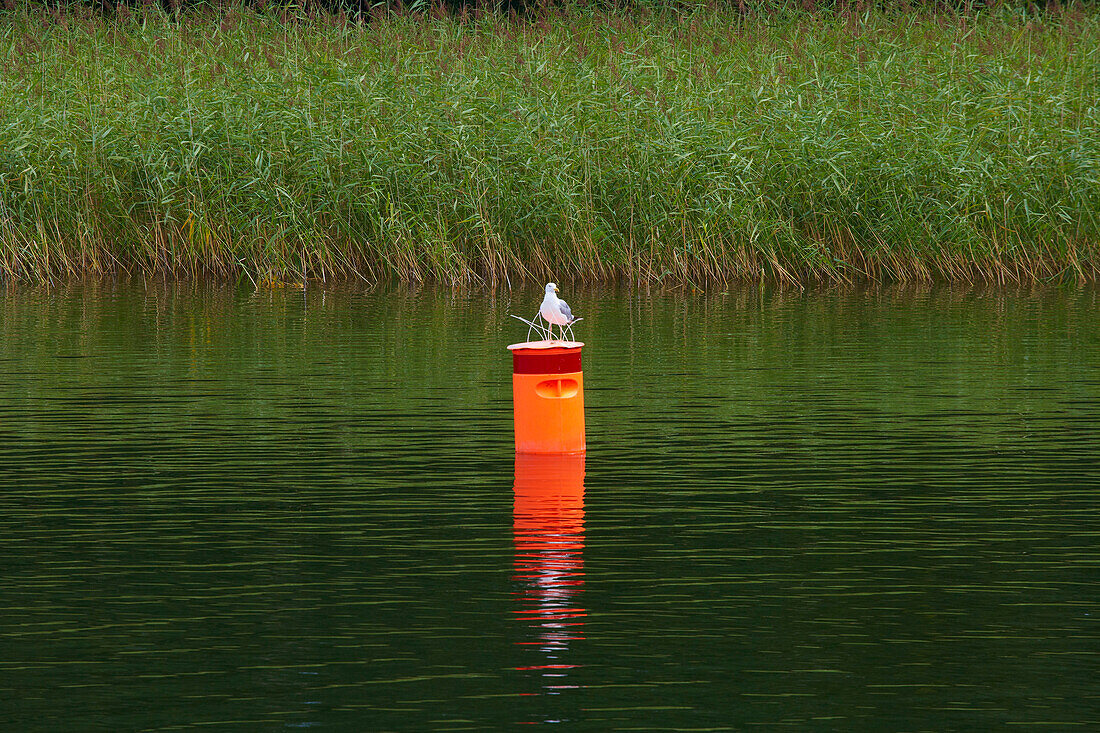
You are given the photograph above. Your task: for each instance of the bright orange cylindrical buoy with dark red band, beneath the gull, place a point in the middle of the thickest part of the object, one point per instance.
(548, 397)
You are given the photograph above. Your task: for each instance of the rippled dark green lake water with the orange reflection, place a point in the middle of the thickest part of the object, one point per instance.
(823, 510)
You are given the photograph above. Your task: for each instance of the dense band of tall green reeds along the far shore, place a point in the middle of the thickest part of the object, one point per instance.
(648, 146)
